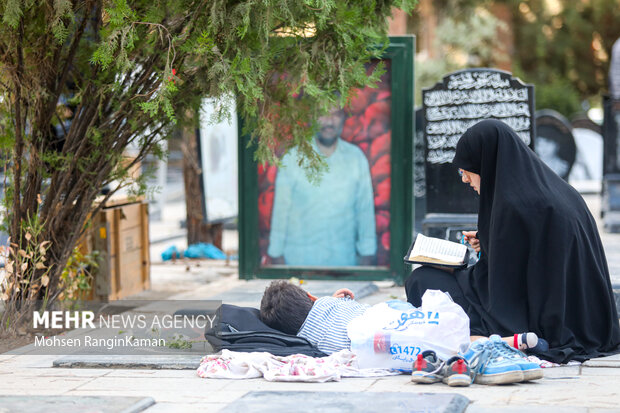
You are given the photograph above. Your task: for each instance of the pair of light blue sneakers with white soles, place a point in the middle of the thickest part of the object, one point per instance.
(495, 362)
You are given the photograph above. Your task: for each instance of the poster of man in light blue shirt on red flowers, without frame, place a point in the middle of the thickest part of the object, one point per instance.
(328, 222)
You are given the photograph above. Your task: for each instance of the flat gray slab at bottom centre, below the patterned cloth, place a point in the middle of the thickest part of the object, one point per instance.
(353, 402)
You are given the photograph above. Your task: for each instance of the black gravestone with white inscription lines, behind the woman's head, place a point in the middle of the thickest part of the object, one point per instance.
(458, 102)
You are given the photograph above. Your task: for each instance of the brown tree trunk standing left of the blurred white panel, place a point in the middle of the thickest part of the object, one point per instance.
(198, 230)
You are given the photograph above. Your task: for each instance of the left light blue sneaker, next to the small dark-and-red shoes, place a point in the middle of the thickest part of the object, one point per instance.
(489, 366)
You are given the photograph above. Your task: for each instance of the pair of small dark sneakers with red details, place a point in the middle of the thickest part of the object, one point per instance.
(428, 368)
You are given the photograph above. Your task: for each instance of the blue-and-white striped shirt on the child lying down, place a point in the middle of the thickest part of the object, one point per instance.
(325, 326)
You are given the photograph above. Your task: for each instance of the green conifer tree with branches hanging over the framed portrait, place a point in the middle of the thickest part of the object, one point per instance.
(81, 81)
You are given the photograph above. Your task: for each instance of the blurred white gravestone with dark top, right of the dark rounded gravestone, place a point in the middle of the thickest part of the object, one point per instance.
(589, 140)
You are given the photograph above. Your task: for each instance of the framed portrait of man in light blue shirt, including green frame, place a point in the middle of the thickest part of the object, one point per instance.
(356, 222)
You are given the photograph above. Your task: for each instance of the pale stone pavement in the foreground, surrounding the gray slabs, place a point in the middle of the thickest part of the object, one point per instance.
(566, 389)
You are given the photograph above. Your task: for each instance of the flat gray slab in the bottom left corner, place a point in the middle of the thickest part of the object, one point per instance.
(74, 404)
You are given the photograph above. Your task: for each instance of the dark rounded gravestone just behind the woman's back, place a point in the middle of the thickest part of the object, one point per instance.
(555, 144)
